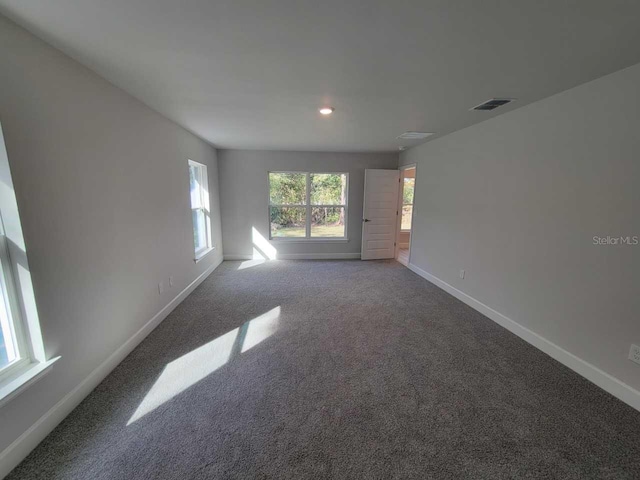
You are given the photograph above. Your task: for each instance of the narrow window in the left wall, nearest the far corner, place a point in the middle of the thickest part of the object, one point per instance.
(199, 188)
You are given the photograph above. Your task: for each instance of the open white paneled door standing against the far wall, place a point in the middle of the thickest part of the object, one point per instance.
(379, 213)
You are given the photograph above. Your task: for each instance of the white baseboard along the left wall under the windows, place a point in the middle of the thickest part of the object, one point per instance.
(26, 442)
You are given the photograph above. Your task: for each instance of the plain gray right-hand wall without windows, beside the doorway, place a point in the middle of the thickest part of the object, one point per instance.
(516, 202)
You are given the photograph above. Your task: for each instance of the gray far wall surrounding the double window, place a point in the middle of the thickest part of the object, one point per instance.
(244, 191)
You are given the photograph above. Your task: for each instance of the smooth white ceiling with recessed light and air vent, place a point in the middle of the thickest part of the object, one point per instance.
(252, 73)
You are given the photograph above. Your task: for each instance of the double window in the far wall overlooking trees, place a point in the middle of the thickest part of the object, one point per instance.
(308, 205)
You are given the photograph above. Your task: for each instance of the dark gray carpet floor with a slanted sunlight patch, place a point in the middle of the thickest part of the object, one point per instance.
(352, 370)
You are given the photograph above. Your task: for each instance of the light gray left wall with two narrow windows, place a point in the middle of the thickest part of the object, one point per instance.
(103, 192)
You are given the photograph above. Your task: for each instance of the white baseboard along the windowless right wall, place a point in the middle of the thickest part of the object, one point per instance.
(602, 379)
